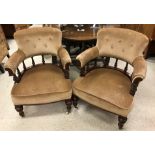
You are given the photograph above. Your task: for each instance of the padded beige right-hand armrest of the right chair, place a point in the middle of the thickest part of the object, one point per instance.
(140, 68)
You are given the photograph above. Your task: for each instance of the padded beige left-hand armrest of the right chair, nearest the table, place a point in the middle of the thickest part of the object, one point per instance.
(87, 56)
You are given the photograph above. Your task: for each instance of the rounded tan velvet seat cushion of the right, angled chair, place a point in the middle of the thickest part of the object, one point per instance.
(107, 85)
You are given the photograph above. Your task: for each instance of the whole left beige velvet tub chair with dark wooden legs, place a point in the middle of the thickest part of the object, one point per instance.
(43, 83)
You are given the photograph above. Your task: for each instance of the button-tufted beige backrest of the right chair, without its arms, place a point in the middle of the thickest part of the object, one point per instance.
(121, 43)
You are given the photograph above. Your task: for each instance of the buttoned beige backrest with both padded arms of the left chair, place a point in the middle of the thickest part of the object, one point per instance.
(37, 41)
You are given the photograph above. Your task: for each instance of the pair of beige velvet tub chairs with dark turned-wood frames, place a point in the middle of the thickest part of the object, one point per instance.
(101, 82)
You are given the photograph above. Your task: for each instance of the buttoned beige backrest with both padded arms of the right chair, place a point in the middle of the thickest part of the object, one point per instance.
(127, 45)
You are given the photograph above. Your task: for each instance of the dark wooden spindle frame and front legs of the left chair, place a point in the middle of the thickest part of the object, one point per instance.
(18, 76)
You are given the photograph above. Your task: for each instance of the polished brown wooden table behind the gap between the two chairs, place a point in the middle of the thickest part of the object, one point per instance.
(78, 38)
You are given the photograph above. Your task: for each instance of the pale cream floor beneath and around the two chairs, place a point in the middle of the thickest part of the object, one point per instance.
(86, 117)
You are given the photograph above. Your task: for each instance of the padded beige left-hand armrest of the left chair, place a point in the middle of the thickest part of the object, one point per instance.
(14, 61)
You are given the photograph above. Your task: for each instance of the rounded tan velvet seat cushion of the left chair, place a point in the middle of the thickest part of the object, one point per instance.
(42, 84)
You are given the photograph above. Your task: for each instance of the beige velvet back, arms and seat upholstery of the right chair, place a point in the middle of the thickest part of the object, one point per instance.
(108, 88)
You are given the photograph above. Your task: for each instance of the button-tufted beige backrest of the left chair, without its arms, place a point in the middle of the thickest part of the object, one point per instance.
(38, 40)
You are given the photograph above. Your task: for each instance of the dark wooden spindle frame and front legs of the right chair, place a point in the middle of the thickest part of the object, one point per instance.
(103, 62)
